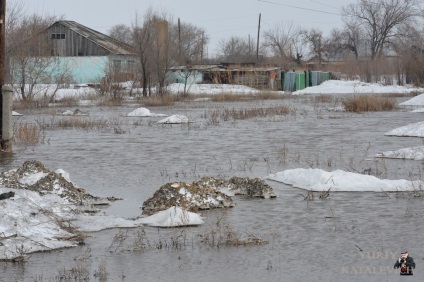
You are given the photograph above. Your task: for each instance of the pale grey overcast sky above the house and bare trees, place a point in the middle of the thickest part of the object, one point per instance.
(221, 19)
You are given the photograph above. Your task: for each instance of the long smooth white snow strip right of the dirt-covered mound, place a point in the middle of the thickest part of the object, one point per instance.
(338, 180)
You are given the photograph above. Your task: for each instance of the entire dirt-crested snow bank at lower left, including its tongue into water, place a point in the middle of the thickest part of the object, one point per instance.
(43, 210)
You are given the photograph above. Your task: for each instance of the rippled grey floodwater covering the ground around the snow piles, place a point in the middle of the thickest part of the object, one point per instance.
(345, 237)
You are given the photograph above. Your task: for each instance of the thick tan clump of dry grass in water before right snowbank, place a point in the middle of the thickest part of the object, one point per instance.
(369, 103)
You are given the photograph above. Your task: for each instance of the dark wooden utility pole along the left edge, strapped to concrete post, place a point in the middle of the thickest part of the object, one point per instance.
(2, 59)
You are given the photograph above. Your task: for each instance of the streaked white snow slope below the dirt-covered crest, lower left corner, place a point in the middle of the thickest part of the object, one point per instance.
(31, 223)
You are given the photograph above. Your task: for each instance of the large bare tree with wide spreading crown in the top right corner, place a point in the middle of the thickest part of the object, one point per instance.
(380, 20)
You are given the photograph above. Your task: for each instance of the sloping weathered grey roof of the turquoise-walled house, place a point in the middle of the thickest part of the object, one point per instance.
(112, 45)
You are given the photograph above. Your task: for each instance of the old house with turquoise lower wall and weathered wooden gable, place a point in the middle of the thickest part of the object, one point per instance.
(78, 54)
